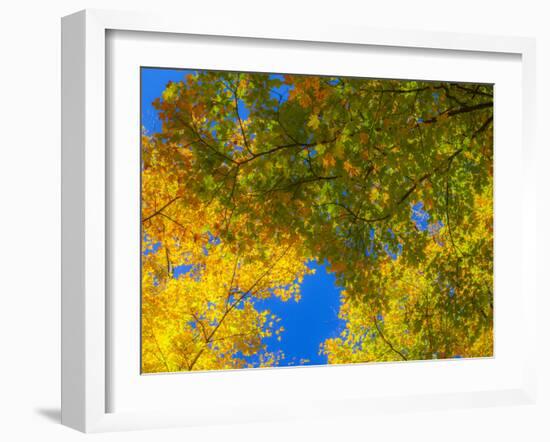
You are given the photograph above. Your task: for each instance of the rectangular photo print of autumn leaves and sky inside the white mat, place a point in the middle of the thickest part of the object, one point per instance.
(292, 220)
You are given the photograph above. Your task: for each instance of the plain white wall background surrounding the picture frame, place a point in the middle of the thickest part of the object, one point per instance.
(30, 215)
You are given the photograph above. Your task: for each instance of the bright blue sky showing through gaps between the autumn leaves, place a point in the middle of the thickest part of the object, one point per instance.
(308, 322)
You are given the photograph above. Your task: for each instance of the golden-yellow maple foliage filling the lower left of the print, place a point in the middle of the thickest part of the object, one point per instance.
(198, 292)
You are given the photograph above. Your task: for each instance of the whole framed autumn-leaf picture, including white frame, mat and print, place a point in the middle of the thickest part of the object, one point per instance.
(249, 216)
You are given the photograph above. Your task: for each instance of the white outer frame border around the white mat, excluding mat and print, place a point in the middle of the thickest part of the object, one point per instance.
(85, 233)
